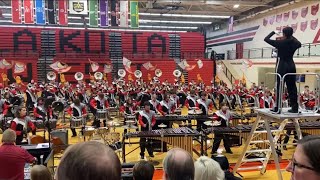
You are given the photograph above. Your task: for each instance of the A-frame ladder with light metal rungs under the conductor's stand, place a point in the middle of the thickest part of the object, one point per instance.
(260, 127)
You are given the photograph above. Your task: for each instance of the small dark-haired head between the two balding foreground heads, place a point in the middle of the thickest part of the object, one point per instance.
(143, 170)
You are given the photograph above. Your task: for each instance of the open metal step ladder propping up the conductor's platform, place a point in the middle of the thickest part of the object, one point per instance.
(260, 130)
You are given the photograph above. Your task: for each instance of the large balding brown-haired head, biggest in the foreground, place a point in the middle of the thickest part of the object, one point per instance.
(89, 160)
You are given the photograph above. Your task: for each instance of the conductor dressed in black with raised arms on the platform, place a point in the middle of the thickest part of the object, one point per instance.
(286, 48)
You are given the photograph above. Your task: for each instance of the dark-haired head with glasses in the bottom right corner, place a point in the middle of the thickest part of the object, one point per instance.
(305, 160)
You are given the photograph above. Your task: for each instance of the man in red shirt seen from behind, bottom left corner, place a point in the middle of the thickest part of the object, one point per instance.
(13, 158)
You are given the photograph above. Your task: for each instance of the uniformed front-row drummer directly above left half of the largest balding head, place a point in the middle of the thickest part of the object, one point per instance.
(77, 110)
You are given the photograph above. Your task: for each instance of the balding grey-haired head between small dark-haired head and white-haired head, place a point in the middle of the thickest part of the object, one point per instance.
(178, 165)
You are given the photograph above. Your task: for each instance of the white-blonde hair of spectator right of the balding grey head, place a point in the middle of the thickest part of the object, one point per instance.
(208, 169)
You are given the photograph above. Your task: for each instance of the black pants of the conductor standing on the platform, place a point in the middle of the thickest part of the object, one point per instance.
(290, 80)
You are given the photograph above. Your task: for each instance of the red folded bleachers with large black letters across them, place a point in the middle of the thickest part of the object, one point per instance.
(76, 46)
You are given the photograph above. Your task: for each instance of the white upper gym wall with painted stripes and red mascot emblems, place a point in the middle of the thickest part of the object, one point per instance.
(303, 17)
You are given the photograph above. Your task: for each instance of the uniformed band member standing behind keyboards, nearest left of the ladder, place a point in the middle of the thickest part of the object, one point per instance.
(224, 116)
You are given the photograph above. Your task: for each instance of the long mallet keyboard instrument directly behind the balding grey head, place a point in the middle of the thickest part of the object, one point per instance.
(177, 137)
